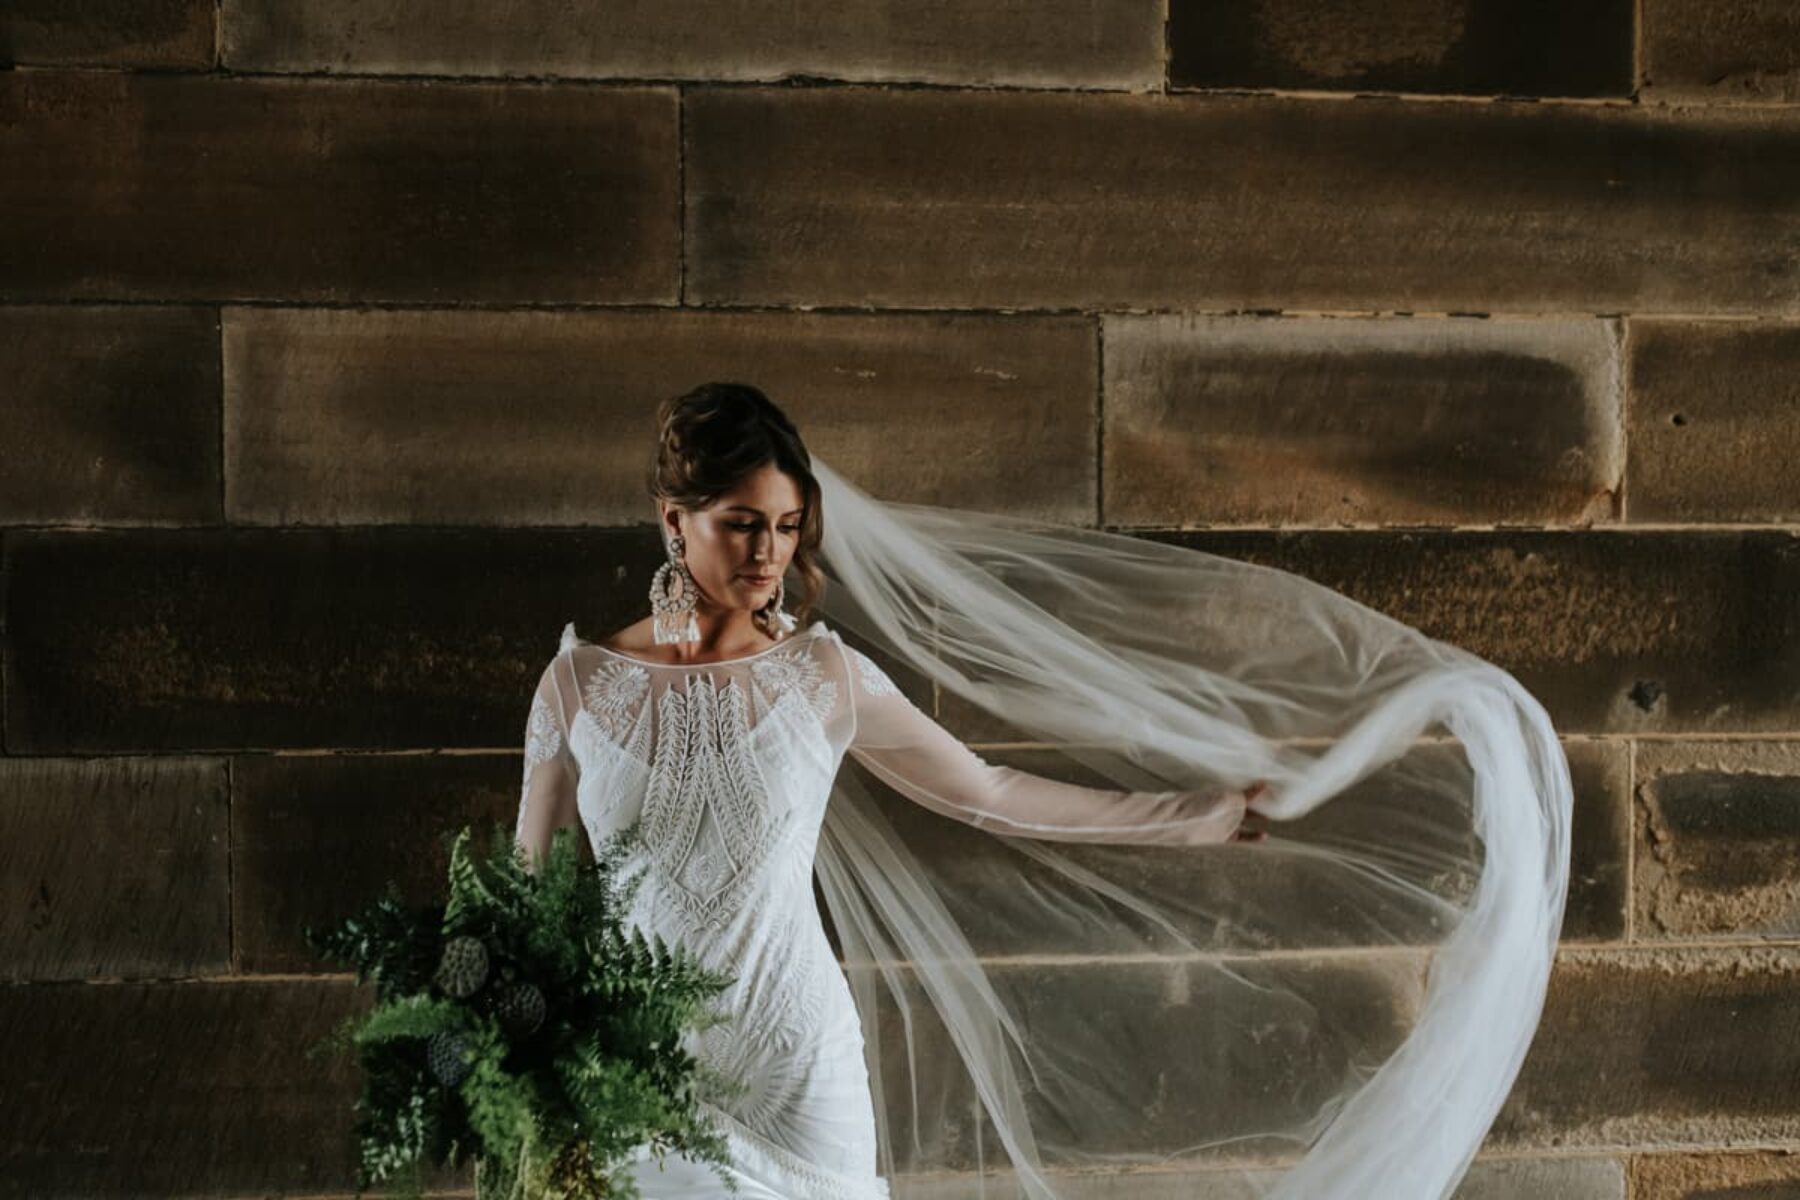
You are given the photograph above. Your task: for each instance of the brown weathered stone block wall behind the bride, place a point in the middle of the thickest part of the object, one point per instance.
(330, 334)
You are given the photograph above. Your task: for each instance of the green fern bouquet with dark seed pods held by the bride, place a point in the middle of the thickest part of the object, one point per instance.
(523, 1025)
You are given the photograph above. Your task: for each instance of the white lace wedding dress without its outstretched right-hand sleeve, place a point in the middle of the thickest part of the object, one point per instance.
(730, 769)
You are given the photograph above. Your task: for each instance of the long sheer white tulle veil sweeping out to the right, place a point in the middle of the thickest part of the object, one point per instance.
(1336, 1012)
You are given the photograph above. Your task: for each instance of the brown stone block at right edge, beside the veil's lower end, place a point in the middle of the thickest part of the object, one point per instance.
(1696, 1046)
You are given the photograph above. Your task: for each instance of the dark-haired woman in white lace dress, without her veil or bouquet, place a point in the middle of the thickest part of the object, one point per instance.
(721, 730)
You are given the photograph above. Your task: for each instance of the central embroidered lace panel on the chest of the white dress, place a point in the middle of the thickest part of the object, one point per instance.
(706, 814)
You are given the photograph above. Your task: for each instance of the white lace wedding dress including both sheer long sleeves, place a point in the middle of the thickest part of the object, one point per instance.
(730, 766)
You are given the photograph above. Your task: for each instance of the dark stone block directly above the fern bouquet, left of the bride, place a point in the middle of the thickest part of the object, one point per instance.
(318, 837)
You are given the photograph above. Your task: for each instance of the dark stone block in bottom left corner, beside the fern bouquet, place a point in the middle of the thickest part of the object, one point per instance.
(177, 1089)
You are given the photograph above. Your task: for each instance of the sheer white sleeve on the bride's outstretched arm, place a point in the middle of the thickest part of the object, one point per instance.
(924, 762)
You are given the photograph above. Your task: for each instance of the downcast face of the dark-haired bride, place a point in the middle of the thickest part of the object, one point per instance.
(748, 532)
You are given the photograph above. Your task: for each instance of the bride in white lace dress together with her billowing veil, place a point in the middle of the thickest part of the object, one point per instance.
(748, 742)
